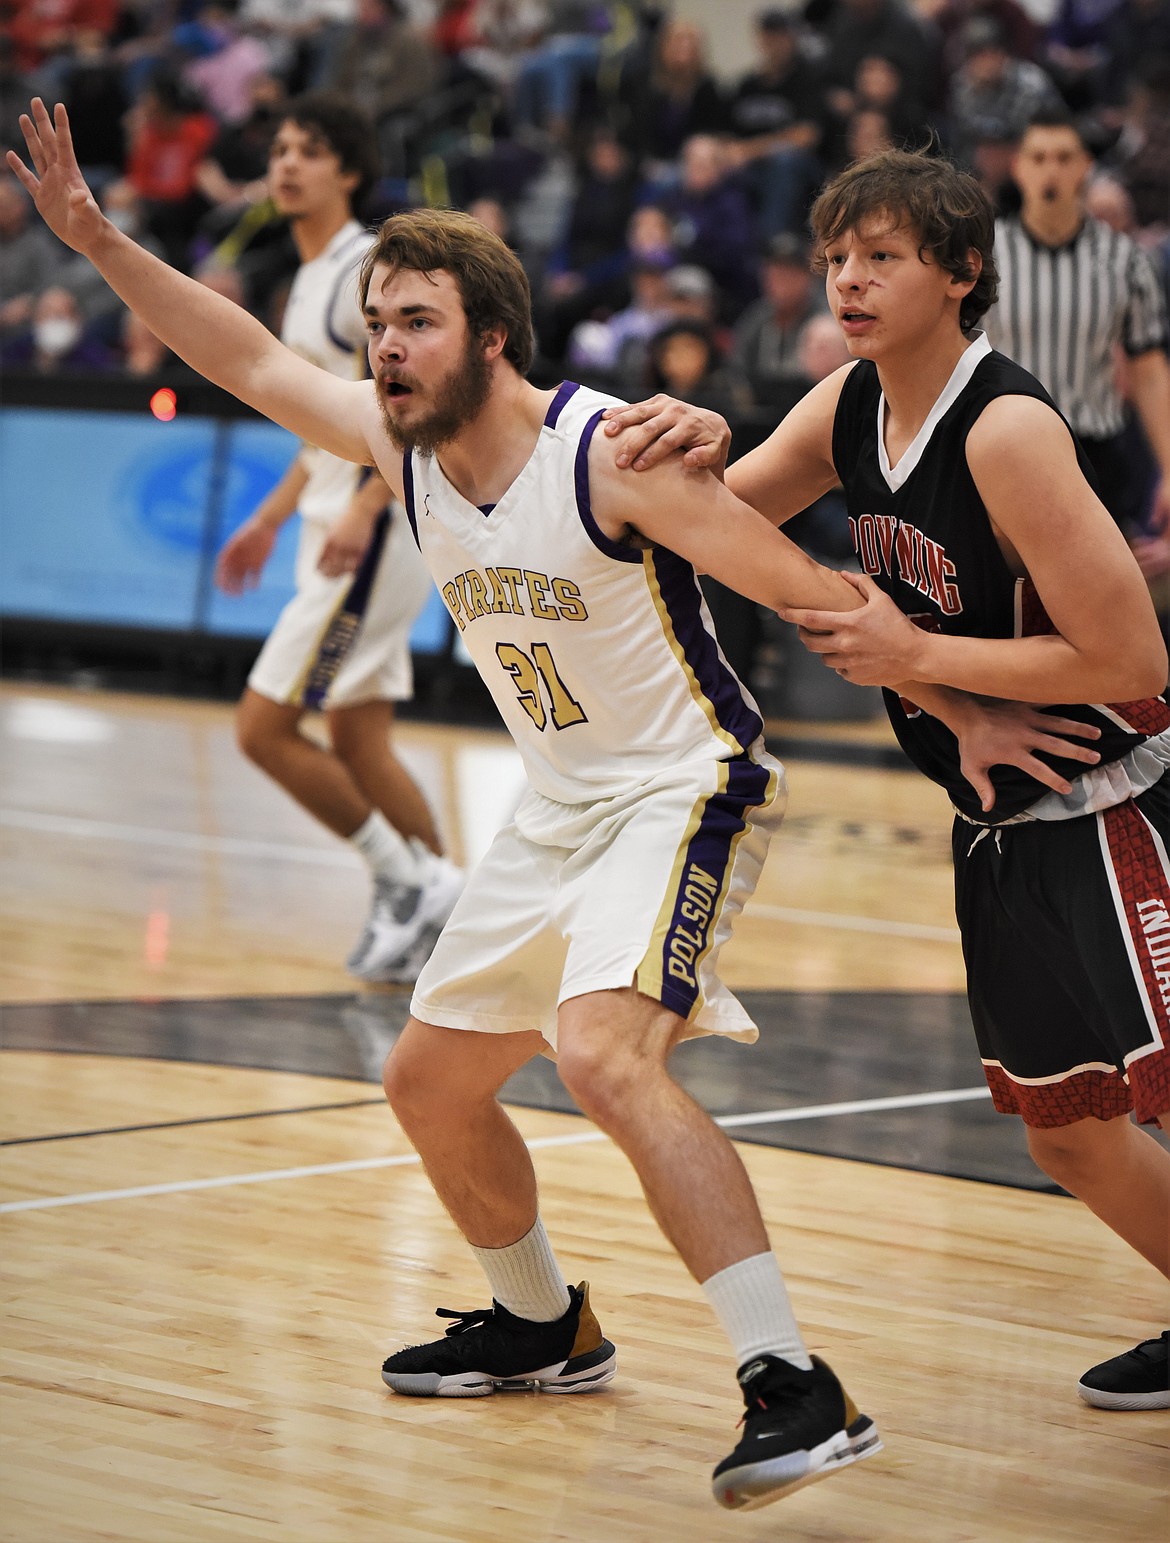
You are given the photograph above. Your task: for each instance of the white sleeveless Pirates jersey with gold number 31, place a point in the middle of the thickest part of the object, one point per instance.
(601, 658)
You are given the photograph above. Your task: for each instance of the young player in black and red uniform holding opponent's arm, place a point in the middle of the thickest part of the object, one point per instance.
(993, 572)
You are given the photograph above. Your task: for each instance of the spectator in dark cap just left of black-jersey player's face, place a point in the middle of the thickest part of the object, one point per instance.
(766, 339)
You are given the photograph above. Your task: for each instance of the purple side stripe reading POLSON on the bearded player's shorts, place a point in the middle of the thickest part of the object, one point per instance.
(703, 883)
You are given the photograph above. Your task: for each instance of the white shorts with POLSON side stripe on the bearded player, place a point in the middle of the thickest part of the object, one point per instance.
(632, 891)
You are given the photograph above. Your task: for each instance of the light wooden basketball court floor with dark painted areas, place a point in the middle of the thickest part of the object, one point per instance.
(214, 1231)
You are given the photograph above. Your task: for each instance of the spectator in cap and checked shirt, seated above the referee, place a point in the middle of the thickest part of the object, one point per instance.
(995, 96)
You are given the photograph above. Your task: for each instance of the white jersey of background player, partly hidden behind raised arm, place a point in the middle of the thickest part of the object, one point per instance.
(323, 323)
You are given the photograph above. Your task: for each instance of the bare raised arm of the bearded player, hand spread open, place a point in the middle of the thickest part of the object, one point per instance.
(214, 336)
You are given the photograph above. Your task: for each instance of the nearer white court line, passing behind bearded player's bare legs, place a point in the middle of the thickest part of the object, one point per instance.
(816, 1112)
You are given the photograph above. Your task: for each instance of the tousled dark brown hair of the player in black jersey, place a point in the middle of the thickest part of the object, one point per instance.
(945, 208)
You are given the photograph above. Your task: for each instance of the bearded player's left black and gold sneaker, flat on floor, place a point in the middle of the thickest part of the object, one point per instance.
(495, 1351)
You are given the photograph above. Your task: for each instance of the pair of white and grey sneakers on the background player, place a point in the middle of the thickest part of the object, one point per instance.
(405, 920)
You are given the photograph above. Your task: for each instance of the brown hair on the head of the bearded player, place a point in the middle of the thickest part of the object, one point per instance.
(492, 282)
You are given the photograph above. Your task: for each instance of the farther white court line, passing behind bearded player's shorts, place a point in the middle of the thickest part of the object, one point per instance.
(325, 857)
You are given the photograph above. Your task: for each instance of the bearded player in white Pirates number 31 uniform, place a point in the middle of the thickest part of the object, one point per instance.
(595, 923)
